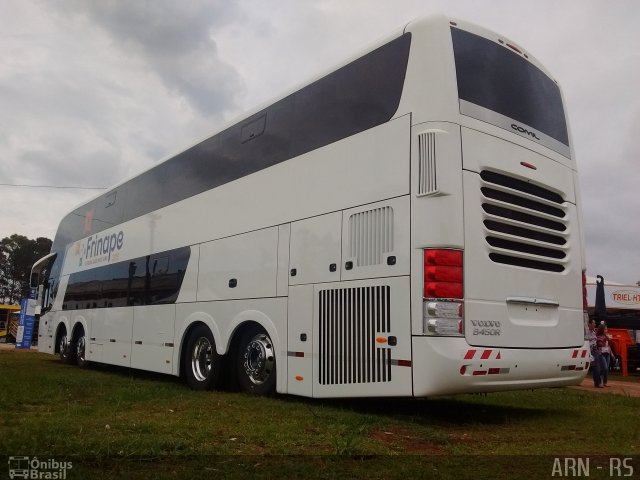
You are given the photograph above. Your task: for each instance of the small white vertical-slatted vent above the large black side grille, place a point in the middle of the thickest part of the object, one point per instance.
(371, 236)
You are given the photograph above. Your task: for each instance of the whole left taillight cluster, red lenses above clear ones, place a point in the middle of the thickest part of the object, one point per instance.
(443, 292)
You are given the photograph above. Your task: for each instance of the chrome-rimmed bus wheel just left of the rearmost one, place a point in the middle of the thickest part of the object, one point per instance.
(202, 369)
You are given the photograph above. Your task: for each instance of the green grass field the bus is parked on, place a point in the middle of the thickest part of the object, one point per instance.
(119, 423)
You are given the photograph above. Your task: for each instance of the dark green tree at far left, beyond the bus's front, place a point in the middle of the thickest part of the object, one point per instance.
(17, 256)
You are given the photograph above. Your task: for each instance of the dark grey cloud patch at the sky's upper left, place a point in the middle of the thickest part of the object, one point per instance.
(176, 40)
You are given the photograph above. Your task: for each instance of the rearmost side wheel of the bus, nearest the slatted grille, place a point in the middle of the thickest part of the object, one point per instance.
(256, 362)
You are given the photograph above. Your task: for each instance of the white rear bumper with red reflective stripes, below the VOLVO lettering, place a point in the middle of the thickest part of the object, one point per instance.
(444, 366)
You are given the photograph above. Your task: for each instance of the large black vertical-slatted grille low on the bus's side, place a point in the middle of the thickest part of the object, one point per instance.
(350, 319)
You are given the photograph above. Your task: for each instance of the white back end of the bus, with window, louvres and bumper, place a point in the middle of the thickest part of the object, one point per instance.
(496, 232)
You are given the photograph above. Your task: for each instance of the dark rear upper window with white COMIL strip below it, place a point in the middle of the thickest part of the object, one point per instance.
(492, 77)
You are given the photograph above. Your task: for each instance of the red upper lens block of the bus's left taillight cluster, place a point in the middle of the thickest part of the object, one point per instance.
(443, 274)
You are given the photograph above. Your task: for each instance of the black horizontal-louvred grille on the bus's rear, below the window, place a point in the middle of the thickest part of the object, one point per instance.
(525, 224)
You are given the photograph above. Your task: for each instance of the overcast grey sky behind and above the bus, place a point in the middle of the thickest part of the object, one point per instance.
(92, 92)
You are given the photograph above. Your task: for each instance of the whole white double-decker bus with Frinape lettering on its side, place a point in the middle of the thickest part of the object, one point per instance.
(405, 225)
